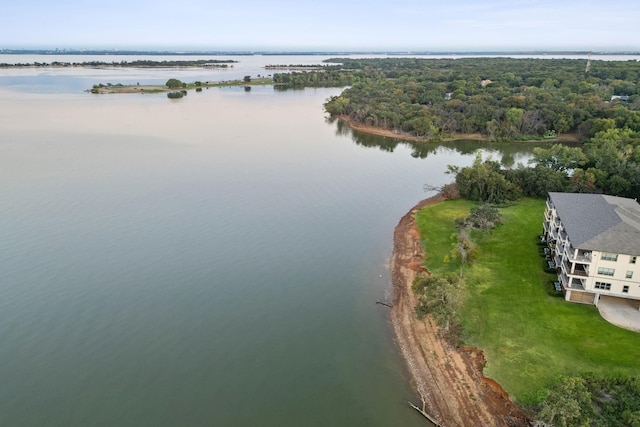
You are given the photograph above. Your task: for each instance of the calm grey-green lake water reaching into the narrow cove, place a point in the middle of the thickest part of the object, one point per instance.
(213, 260)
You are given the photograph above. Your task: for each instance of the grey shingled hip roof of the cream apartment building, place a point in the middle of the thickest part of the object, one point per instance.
(599, 222)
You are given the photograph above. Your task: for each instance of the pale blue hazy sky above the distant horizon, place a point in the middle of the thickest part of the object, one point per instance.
(427, 25)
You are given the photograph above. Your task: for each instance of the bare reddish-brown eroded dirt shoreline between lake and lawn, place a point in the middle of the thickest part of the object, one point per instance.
(449, 379)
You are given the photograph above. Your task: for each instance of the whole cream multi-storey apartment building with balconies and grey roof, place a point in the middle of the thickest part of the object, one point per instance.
(595, 245)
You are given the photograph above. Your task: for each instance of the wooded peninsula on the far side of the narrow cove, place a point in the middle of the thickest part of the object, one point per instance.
(526, 98)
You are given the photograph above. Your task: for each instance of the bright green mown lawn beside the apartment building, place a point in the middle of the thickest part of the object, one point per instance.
(530, 338)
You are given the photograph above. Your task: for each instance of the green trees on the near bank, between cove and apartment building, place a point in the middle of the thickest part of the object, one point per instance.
(608, 163)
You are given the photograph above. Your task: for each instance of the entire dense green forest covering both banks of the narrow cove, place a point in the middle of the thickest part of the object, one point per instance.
(503, 99)
